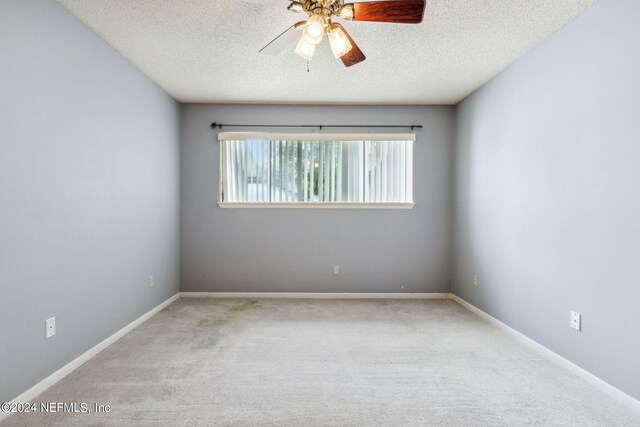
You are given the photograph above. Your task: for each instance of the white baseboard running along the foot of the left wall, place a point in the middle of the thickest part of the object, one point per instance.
(58, 375)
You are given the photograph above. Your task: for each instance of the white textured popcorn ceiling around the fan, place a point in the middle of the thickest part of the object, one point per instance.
(207, 50)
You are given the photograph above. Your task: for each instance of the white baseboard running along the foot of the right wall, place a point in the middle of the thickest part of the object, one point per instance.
(544, 351)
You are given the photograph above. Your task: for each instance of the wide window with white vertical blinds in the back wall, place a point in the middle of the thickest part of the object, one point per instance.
(316, 170)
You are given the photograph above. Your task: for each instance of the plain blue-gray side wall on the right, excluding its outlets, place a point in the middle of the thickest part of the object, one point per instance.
(548, 193)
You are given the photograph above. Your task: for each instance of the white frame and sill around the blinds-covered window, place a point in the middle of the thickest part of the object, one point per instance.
(239, 136)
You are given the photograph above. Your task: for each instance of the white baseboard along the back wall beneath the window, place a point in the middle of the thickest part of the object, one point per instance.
(314, 295)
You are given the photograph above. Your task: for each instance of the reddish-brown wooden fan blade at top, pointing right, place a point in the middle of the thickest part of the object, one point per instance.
(397, 11)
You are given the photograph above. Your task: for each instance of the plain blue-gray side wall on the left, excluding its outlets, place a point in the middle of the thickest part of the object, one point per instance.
(88, 191)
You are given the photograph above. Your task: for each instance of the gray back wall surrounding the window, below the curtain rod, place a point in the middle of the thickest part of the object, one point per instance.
(293, 250)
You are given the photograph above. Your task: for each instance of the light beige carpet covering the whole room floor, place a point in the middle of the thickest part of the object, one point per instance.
(325, 363)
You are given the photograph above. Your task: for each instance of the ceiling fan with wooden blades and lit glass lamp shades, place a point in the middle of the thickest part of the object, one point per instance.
(322, 14)
